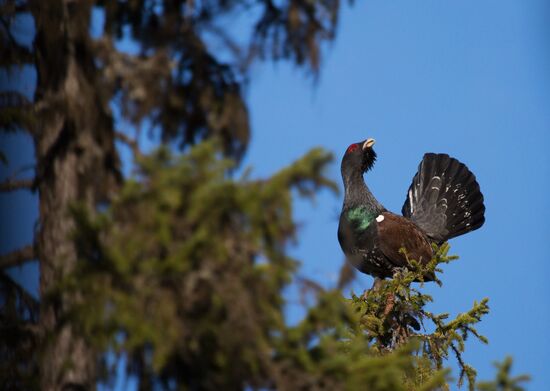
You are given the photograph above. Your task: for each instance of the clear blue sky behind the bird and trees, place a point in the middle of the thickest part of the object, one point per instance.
(468, 78)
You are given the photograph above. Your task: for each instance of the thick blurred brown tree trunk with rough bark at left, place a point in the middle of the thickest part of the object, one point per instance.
(76, 163)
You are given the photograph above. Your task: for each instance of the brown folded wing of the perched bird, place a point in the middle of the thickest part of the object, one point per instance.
(396, 232)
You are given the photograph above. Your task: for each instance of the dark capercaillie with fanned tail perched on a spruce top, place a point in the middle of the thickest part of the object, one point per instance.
(443, 201)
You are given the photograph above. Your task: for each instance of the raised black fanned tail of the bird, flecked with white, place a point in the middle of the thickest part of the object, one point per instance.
(444, 198)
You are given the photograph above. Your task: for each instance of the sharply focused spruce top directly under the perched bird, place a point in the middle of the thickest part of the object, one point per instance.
(394, 313)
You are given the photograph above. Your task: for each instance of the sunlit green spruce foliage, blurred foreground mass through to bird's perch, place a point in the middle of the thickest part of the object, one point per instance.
(184, 275)
